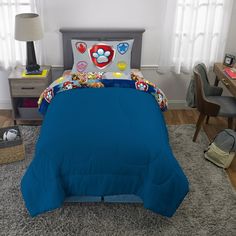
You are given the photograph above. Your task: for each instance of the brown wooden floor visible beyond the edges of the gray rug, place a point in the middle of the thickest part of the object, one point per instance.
(172, 117)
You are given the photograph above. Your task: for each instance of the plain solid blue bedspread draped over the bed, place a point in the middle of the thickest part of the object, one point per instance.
(100, 142)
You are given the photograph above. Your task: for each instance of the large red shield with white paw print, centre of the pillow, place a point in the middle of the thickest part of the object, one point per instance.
(101, 55)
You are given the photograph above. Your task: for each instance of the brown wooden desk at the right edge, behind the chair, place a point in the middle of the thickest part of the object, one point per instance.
(229, 83)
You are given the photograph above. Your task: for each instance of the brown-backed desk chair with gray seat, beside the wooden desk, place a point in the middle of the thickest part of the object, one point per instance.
(224, 106)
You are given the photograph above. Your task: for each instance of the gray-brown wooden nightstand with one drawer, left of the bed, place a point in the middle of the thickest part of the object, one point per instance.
(27, 90)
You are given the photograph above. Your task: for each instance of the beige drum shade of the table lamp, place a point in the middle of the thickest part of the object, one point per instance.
(28, 27)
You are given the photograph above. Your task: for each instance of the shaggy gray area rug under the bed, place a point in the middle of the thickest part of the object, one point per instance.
(208, 209)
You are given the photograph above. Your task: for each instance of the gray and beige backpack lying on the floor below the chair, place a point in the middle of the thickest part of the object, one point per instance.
(221, 150)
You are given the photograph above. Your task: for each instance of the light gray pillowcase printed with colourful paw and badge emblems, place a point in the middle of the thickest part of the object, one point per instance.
(101, 56)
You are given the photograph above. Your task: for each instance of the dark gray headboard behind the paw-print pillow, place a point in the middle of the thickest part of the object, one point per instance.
(102, 35)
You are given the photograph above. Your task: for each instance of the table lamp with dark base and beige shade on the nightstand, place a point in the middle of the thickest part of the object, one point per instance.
(28, 28)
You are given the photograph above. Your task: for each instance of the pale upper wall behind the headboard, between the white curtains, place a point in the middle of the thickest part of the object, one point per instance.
(103, 14)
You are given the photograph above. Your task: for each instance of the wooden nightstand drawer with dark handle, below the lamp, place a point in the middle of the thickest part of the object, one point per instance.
(27, 88)
